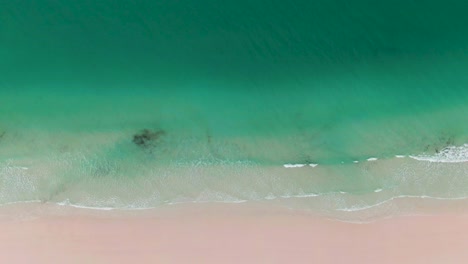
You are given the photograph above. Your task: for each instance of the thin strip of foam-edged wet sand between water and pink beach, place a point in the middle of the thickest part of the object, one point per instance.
(397, 206)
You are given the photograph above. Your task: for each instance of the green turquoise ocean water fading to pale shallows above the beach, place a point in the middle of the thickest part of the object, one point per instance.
(229, 92)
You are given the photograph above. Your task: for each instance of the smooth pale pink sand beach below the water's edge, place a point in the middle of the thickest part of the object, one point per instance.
(229, 234)
